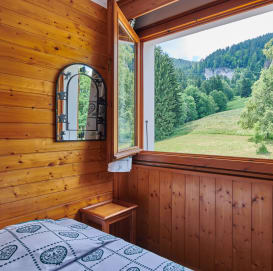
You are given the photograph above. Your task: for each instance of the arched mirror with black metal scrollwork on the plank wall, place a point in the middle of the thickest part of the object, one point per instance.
(80, 104)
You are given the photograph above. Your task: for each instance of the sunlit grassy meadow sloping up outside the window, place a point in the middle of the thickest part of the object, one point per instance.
(217, 134)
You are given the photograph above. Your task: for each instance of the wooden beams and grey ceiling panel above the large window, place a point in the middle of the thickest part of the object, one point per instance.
(162, 17)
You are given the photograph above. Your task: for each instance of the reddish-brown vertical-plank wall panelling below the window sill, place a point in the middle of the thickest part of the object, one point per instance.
(205, 221)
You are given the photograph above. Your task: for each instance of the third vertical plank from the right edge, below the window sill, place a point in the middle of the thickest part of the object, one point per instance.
(223, 218)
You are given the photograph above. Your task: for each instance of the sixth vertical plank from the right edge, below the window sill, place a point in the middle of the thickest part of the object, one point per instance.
(178, 217)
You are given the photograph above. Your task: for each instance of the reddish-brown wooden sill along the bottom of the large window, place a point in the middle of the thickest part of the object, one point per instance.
(245, 167)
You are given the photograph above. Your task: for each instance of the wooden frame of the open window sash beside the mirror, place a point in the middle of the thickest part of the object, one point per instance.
(115, 15)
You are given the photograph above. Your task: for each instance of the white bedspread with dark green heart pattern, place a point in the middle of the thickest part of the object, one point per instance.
(69, 245)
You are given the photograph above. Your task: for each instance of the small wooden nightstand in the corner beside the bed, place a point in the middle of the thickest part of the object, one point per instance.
(109, 212)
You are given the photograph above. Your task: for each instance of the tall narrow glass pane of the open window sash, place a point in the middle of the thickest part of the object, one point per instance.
(126, 89)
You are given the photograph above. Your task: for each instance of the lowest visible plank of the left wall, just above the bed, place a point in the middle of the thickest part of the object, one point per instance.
(58, 212)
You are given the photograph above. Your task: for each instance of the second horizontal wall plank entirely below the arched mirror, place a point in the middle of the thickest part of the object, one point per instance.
(52, 159)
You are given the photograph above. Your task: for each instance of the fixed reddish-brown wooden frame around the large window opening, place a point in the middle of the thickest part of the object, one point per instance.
(239, 166)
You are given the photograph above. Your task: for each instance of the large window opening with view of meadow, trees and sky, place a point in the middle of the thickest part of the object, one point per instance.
(214, 91)
